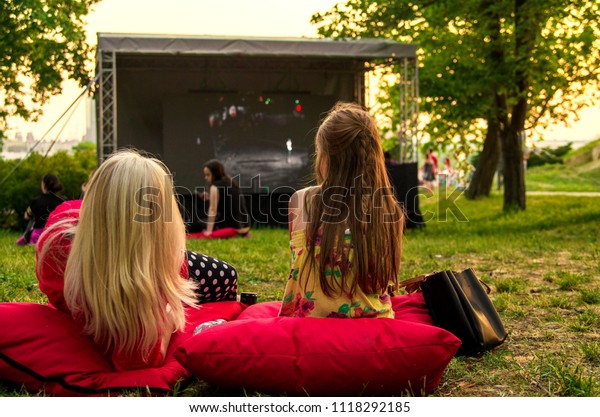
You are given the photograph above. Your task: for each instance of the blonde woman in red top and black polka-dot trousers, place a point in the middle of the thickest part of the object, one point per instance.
(120, 256)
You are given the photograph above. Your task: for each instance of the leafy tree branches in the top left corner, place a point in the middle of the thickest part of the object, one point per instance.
(42, 43)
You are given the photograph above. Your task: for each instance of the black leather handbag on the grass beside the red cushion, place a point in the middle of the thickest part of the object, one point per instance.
(458, 302)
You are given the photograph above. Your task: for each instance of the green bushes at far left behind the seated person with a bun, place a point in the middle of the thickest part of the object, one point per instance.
(20, 186)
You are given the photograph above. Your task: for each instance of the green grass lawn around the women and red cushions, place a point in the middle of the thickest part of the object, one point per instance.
(543, 266)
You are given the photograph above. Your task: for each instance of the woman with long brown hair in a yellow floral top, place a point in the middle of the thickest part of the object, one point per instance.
(346, 232)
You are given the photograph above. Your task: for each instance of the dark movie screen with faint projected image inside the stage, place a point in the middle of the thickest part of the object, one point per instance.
(267, 140)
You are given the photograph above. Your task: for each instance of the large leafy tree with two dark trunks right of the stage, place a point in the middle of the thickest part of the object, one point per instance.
(488, 69)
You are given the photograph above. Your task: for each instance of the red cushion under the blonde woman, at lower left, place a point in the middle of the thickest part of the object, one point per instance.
(43, 349)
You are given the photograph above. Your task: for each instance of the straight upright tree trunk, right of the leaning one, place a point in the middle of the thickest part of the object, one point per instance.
(514, 172)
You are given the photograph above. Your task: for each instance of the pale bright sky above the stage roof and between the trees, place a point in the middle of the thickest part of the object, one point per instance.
(257, 18)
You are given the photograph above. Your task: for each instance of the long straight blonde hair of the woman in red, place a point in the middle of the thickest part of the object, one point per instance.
(126, 256)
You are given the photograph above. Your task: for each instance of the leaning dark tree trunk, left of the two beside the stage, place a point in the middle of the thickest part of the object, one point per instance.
(483, 176)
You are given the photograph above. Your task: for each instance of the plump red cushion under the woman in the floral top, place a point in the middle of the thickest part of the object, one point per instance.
(321, 356)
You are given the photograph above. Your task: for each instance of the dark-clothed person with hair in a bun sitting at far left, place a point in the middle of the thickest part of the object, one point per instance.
(40, 208)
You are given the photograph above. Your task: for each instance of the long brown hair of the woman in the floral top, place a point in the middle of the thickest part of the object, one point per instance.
(355, 194)
